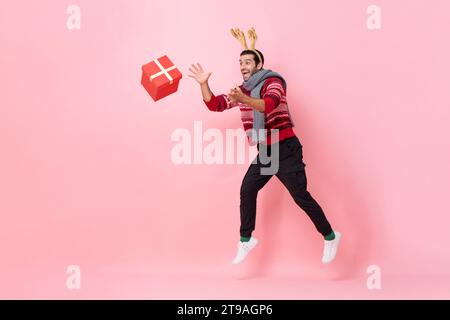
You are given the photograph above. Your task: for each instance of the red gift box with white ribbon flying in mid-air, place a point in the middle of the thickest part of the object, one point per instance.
(160, 77)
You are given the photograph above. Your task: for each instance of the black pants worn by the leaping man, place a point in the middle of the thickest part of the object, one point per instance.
(291, 172)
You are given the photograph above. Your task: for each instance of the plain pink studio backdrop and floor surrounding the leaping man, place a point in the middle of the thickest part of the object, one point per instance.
(86, 176)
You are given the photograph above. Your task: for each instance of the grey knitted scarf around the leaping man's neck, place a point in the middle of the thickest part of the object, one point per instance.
(254, 84)
